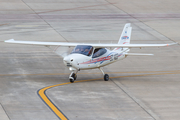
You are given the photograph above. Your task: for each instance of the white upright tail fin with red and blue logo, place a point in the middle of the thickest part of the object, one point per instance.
(126, 34)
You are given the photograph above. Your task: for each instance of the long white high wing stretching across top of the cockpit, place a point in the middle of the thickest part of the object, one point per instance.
(69, 44)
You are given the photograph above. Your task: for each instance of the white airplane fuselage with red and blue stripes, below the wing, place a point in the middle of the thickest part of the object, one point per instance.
(82, 62)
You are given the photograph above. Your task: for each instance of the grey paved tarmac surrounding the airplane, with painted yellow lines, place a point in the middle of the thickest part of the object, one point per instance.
(34, 82)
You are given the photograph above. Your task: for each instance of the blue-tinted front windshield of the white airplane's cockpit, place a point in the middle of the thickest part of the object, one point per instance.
(83, 49)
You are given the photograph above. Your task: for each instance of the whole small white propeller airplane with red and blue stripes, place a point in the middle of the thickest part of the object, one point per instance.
(91, 56)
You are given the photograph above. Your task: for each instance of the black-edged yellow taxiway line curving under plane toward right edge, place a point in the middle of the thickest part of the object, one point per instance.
(59, 114)
